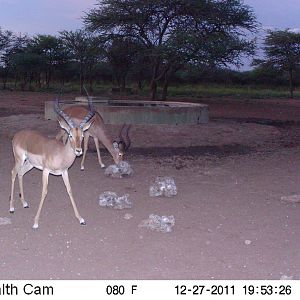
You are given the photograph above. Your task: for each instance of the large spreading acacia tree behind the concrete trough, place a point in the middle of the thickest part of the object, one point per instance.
(175, 32)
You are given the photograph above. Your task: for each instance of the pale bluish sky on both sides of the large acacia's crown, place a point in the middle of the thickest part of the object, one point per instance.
(52, 16)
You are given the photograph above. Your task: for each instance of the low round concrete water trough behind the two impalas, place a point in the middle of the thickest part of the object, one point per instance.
(140, 112)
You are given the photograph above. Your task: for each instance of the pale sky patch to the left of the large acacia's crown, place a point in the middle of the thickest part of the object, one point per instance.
(43, 16)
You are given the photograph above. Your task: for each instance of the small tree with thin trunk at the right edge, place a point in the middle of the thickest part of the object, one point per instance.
(282, 50)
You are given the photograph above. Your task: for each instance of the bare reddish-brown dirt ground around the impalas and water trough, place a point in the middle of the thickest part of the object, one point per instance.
(230, 221)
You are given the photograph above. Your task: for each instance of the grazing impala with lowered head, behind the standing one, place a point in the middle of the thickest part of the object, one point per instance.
(97, 130)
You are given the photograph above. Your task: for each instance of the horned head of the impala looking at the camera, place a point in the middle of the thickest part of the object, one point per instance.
(75, 133)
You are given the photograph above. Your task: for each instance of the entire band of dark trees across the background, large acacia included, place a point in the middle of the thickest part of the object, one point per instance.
(150, 43)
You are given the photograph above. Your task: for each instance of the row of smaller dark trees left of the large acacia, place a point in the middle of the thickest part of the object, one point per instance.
(42, 59)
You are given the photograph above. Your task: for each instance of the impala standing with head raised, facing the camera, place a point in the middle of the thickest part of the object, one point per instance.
(31, 149)
